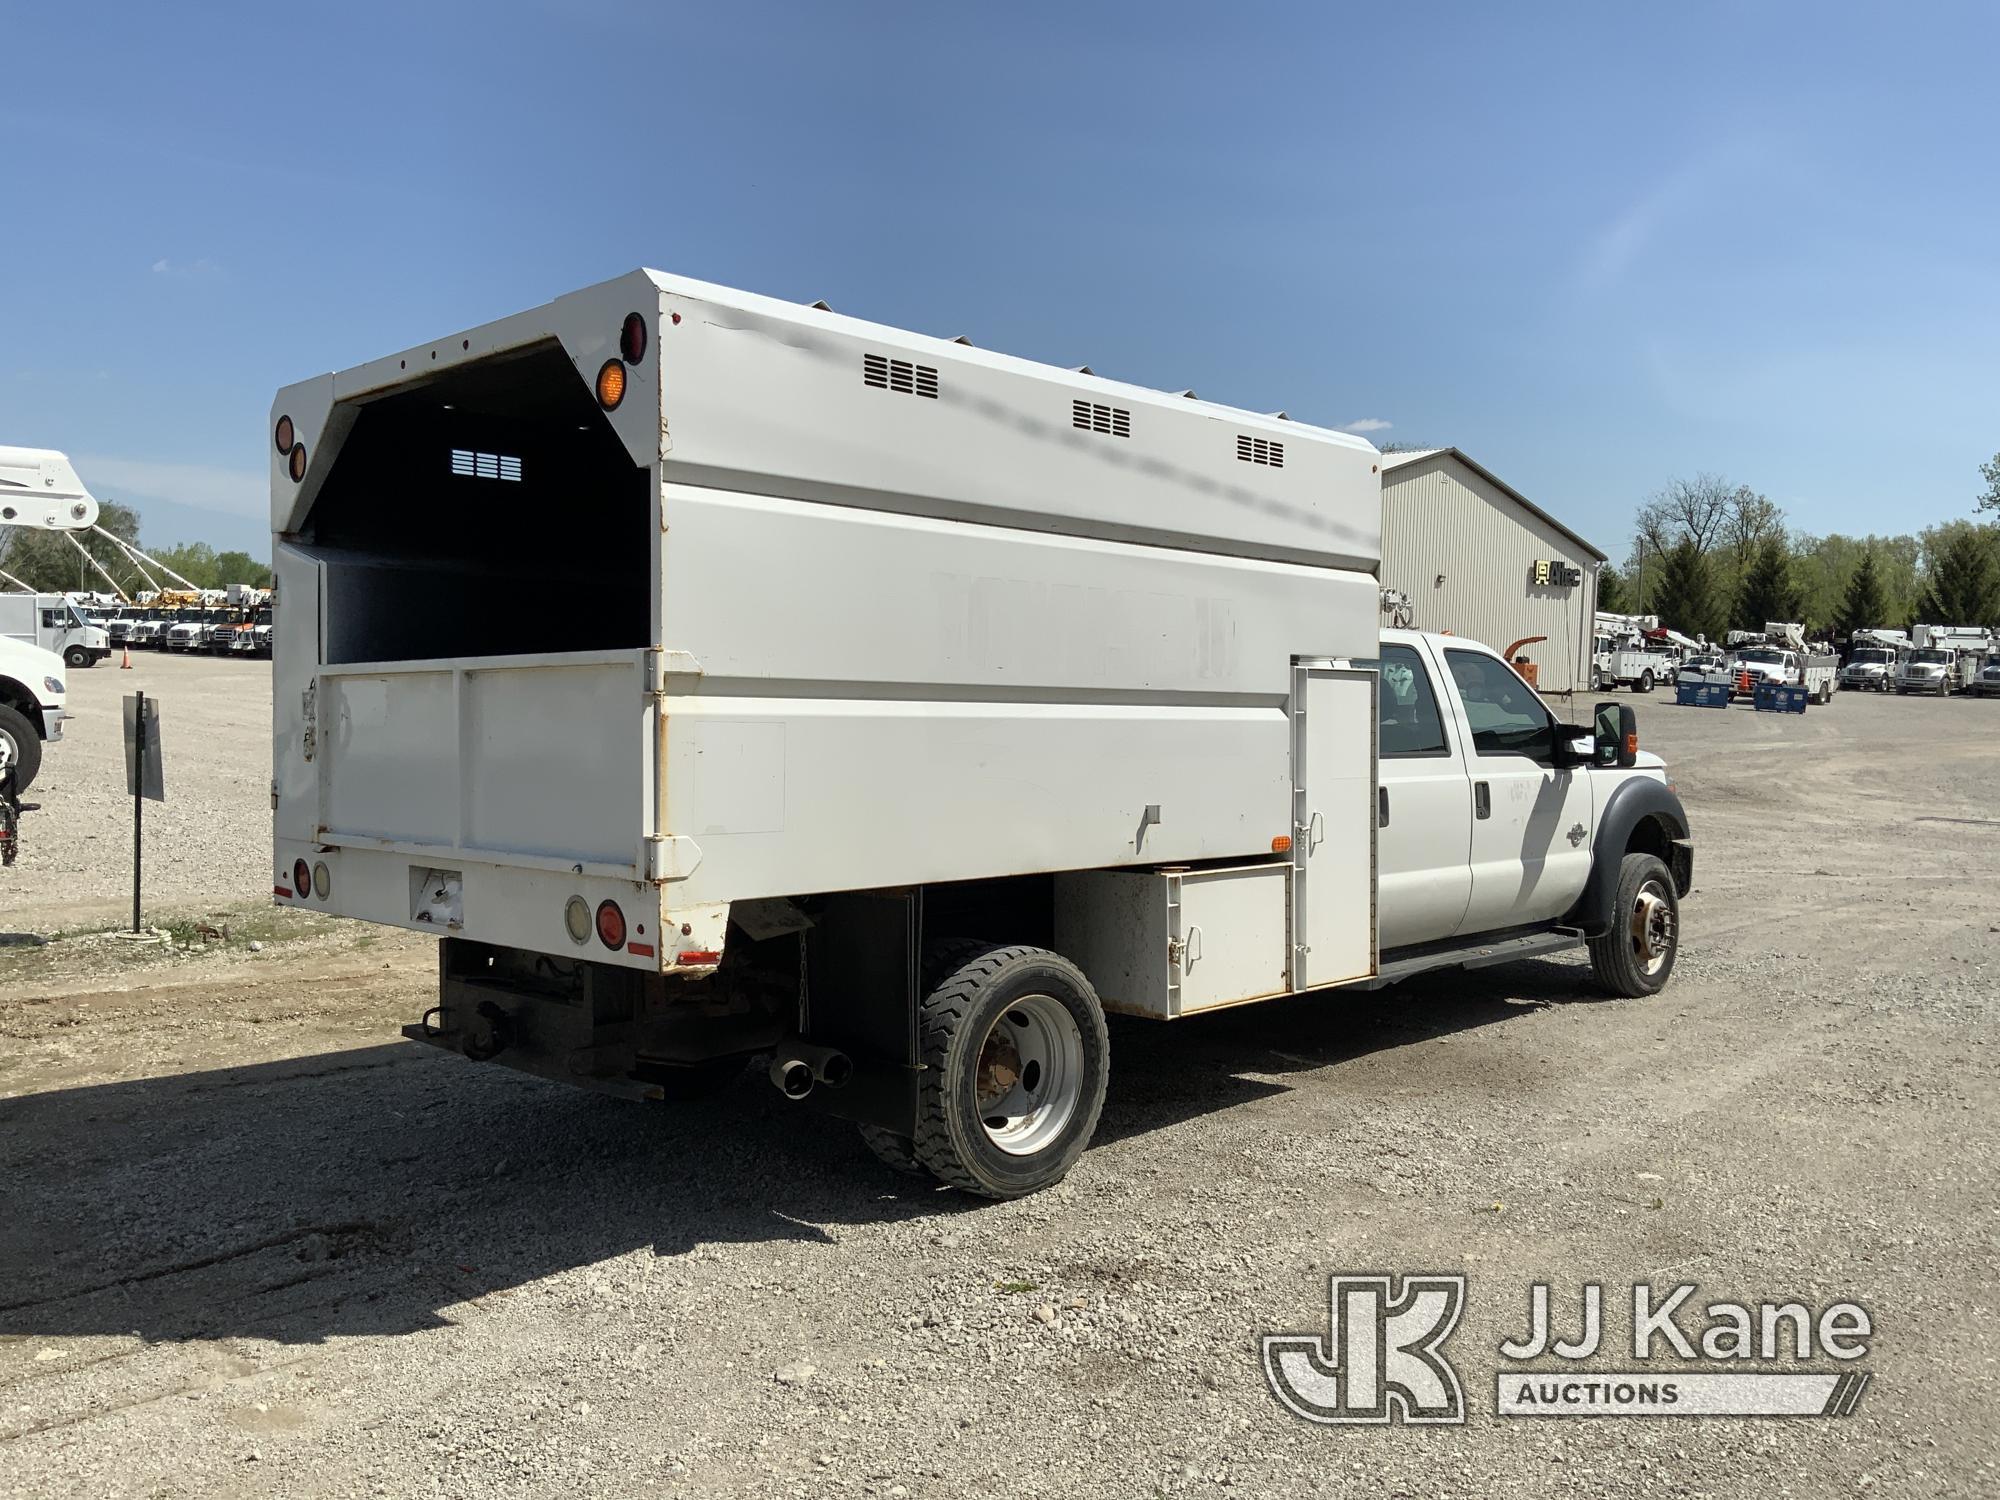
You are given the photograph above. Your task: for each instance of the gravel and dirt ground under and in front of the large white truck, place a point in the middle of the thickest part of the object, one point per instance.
(255, 1245)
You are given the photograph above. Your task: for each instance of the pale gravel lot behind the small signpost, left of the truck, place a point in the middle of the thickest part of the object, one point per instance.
(207, 847)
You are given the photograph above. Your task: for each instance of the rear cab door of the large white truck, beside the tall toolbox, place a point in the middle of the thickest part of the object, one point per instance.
(1423, 805)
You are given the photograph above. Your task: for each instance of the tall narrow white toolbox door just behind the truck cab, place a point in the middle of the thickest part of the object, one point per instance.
(1335, 849)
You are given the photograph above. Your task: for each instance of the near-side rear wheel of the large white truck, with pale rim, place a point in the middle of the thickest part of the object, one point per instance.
(1043, 999)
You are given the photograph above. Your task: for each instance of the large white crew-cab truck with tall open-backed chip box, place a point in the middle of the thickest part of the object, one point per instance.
(931, 705)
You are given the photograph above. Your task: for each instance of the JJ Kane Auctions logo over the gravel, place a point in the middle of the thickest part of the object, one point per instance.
(1383, 1357)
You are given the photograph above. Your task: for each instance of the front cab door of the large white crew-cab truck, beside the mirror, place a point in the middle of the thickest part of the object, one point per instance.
(1531, 821)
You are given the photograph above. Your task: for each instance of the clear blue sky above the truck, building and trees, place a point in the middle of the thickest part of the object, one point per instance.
(1595, 247)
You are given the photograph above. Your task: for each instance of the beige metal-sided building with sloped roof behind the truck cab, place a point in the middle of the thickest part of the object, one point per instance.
(1479, 559)
